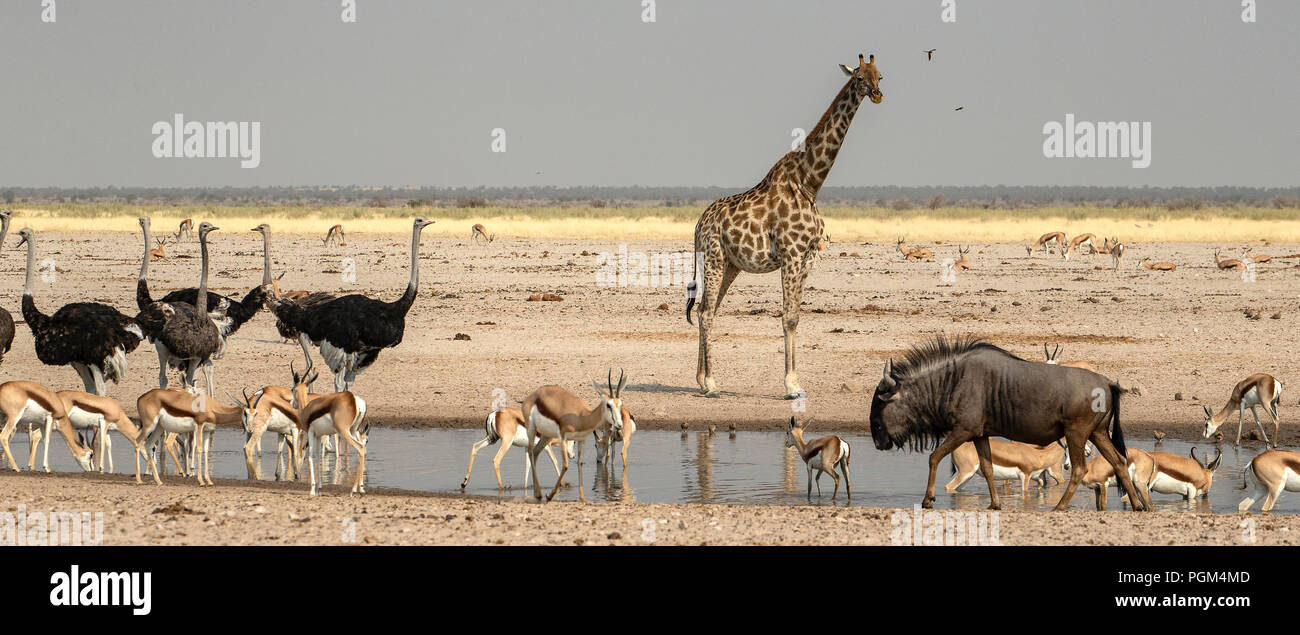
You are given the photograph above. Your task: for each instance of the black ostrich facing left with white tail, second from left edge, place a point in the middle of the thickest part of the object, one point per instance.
(94, 339)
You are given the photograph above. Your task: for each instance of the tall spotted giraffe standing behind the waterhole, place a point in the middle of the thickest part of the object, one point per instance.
(775, 226)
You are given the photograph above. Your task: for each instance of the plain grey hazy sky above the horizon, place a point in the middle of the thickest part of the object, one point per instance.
(591, 96)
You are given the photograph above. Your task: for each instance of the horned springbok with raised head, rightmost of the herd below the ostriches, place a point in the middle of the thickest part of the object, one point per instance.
(330, 414)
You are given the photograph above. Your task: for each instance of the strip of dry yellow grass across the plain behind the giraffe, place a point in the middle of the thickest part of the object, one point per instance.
(678, 223)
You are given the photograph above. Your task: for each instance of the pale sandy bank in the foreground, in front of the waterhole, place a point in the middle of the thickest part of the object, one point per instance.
(239, 513)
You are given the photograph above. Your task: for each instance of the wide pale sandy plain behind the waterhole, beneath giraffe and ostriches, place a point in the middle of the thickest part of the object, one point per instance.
(1180, 332)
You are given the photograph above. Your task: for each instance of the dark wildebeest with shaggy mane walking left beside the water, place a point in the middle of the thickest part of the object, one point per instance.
(948, 392)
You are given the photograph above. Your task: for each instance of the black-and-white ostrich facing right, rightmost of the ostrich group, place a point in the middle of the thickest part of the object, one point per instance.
(353, 330)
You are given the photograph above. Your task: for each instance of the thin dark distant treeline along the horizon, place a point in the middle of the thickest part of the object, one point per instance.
(895, 197)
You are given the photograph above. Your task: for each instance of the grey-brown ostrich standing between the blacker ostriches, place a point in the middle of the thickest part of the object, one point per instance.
(185, 338)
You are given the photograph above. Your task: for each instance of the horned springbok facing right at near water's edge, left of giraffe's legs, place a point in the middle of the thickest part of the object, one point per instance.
(554, 412)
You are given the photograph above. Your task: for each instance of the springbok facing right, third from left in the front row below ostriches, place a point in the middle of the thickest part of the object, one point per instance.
(183, 413)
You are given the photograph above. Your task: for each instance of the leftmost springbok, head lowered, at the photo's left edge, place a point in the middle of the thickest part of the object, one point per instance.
(36, 405)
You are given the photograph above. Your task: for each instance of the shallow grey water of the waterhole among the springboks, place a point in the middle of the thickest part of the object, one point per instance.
(756, 468)
